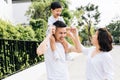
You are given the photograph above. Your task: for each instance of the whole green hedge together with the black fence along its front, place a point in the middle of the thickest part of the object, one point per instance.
(18, 45)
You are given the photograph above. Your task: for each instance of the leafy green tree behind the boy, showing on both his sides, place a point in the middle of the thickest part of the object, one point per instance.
(40, 9)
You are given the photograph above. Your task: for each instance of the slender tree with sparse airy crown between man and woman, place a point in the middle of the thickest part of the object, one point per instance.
(88, 16)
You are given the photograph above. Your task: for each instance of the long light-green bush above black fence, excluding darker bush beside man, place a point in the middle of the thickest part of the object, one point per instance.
(19, 32)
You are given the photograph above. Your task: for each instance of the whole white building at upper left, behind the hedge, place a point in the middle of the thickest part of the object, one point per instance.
(14, 10)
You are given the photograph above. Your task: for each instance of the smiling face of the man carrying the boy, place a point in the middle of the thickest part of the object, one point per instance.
(60, 34)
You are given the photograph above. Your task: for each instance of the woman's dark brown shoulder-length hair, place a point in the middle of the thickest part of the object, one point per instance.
(104, 40)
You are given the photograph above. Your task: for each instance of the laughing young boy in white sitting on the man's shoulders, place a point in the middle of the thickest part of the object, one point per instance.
(56, 10)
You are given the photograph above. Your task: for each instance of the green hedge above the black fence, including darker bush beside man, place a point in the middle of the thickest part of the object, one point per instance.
(35, 32)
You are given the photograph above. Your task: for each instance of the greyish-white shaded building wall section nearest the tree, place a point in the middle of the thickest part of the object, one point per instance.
(19, 10)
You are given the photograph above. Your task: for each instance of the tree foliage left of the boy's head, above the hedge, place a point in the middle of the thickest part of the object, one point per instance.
(39, 9)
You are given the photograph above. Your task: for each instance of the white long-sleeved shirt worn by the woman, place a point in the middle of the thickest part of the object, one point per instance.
(99, 67)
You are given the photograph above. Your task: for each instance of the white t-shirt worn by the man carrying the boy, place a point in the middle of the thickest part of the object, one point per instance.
(56, 68)
